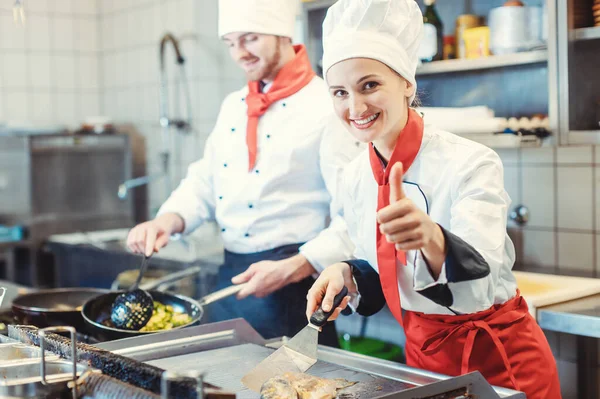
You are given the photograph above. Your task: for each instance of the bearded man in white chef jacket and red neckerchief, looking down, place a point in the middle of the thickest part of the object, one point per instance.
(269, 171)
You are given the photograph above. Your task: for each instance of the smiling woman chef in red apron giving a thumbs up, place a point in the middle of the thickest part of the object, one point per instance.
(427, 212)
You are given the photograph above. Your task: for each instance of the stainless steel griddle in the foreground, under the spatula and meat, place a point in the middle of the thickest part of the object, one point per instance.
(227, 351)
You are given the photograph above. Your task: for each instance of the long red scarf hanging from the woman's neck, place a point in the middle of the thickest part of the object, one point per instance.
(406, 150)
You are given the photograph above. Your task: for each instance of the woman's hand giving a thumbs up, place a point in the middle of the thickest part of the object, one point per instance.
(402, 222)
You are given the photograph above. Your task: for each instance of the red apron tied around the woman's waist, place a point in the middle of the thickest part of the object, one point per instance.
(504, 343)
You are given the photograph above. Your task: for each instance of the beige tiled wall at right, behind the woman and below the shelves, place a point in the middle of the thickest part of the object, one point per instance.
(561, 187)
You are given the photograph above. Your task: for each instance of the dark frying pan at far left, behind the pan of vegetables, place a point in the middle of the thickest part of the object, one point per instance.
(62, 306)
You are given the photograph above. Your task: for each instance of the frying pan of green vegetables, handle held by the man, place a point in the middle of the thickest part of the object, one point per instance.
(96, 311)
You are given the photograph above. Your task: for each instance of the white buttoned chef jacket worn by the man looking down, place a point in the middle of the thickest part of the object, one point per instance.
(286, 198)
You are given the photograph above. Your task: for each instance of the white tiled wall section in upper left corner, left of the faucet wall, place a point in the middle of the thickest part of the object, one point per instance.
(49, 67)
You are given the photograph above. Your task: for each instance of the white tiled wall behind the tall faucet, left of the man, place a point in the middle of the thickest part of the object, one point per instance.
(130, 34)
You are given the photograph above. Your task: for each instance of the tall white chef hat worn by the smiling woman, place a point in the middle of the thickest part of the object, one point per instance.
(388, 31)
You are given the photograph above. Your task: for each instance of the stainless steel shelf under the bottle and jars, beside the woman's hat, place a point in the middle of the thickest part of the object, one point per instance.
(495, 61)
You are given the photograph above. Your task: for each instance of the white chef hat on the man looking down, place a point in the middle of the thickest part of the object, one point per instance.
(270, 17)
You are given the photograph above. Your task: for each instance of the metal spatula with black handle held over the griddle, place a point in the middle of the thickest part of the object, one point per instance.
(298, 354)
